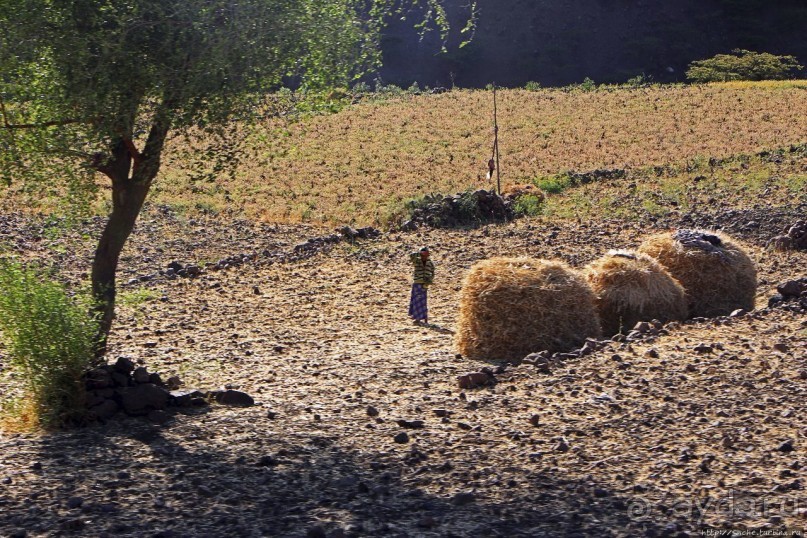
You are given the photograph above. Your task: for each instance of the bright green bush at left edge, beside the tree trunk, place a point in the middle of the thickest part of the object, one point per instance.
(49, 338)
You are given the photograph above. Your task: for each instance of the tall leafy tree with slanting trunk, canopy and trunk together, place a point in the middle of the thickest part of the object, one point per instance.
(96, 86)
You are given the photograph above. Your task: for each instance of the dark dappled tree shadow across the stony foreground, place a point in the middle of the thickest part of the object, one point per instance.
(137, 479)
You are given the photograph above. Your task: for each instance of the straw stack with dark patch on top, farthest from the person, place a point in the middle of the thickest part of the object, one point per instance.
(714, 269)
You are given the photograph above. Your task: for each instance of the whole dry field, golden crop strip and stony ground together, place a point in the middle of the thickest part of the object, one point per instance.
(652, 438)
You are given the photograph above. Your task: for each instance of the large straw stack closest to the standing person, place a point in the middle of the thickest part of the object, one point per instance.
(511, 307)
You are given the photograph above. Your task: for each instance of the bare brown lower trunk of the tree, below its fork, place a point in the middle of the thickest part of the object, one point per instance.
(127, 201)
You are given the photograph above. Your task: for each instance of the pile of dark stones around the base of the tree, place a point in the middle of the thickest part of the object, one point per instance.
(125, 387)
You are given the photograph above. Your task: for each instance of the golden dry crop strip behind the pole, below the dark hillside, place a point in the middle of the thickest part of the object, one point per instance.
(360, 165)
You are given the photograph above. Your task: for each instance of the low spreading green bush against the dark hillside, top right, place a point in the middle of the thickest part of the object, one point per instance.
(743, 65)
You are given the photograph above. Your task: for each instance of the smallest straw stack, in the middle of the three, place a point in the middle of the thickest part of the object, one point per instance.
(632, 287)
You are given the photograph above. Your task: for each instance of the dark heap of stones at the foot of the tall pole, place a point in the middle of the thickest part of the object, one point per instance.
(461, 209)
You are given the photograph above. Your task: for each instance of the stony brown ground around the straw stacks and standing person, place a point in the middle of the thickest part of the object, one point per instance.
(360, 427)
